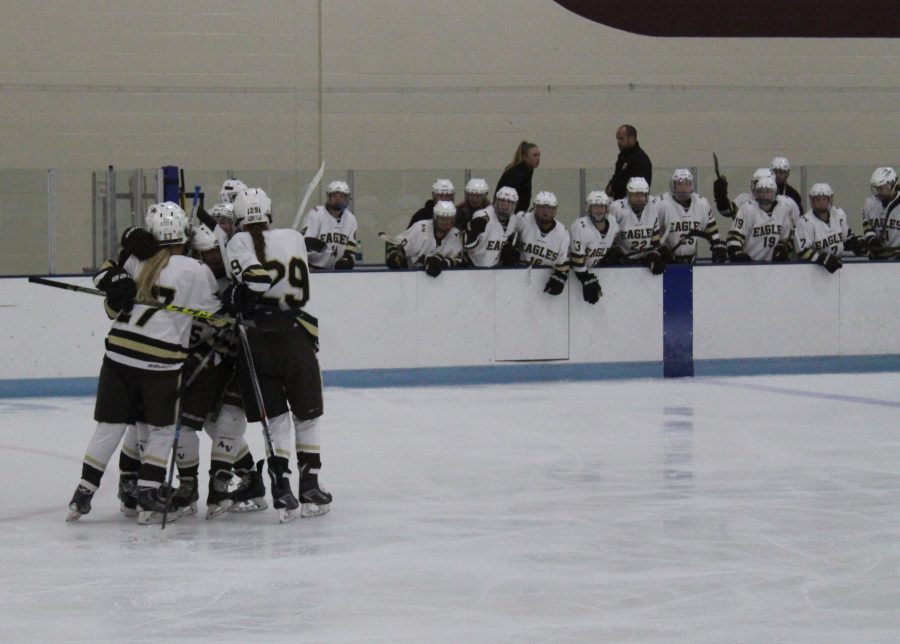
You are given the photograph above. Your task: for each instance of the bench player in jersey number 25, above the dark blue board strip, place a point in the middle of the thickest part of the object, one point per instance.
(685, 215)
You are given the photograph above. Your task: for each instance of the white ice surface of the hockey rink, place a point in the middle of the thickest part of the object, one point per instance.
(761, 509)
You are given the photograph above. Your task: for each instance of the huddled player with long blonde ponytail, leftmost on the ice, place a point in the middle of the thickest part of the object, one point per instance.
(145, 349)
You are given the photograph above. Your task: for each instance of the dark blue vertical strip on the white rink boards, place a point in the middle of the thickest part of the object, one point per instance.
(678, 321)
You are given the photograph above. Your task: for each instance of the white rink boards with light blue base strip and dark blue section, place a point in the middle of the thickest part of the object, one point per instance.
(383, 328)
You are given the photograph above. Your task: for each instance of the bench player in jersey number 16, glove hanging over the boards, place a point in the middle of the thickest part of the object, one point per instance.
(541, 240)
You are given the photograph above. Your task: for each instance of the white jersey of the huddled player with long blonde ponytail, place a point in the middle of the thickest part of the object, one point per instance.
(154, 339)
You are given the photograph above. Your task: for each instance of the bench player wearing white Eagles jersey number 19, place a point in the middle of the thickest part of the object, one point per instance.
(762, 228)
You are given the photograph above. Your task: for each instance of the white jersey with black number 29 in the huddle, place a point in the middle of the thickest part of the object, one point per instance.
(283, 277)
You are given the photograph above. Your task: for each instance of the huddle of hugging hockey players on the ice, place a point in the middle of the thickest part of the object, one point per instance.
(212, 328)
